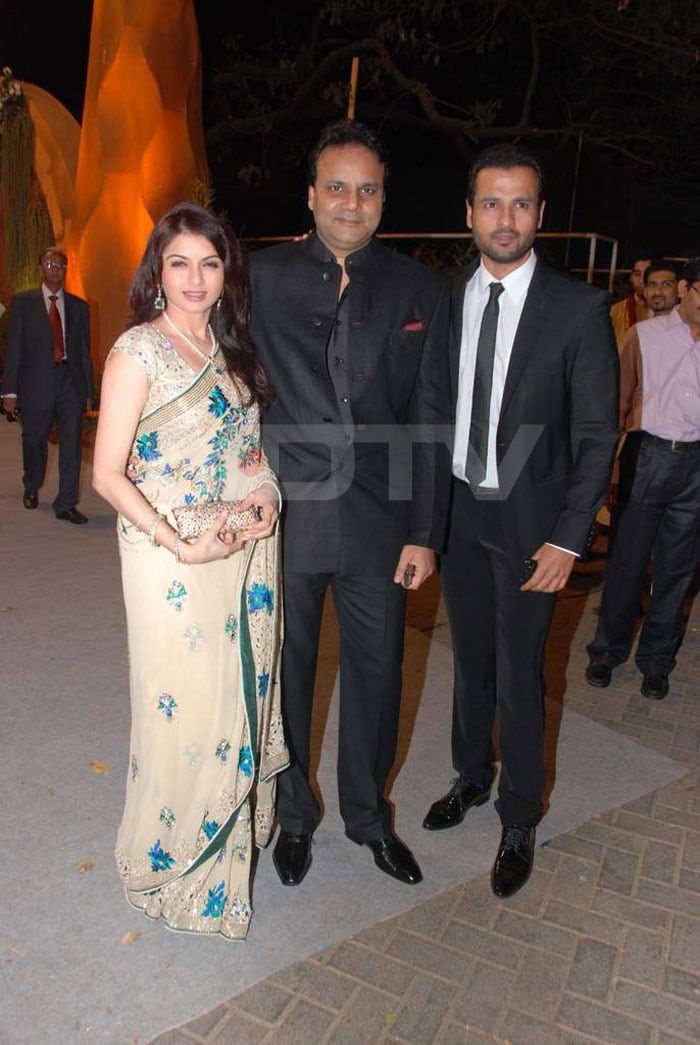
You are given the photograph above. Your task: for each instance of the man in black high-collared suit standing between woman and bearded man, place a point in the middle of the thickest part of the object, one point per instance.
(354, 337)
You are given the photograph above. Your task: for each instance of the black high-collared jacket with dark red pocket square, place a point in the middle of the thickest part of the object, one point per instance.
(356, 493)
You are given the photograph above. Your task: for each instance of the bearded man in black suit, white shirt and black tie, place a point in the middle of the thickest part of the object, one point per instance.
(534, 377)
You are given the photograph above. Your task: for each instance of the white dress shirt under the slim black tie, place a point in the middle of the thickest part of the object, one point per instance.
(510, 309)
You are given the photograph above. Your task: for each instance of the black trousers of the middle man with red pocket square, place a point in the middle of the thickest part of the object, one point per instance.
(370, 613)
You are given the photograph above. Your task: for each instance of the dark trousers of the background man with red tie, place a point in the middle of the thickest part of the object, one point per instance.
(66, 410)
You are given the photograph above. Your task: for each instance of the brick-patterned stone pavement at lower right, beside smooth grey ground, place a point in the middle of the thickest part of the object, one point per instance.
(603, 945)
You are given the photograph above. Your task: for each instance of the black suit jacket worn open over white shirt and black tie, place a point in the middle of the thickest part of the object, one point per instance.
(558, 427)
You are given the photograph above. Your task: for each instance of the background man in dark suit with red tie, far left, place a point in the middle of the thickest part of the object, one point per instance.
(49, 376)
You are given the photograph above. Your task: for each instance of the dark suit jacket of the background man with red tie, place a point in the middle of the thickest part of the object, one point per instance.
(30, 371)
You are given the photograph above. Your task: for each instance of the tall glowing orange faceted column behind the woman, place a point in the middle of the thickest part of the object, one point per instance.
(142, 148)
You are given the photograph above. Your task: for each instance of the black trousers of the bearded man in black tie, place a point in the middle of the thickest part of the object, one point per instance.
(499, 636)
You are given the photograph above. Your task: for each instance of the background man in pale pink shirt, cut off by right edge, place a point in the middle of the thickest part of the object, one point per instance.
(660, 397)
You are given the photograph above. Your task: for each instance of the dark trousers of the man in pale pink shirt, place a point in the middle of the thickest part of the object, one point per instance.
(662, 518)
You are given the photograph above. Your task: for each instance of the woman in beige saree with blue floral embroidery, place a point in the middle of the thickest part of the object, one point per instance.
(179, 426)
